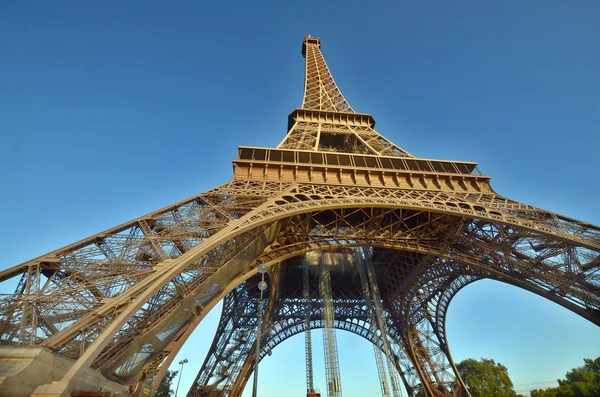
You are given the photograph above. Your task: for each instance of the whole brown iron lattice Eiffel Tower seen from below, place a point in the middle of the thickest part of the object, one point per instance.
(355, 232)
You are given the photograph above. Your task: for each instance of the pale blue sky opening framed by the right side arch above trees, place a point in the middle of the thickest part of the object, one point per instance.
(536, 339)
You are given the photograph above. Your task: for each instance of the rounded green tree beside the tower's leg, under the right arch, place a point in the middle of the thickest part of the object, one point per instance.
(486, 378)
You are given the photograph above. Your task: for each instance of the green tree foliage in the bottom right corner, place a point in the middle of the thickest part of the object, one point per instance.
(580, 382)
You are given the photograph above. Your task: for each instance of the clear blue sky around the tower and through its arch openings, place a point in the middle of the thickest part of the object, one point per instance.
(110, 110)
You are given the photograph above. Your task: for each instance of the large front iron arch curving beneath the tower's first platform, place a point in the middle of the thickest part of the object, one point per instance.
(511, 241)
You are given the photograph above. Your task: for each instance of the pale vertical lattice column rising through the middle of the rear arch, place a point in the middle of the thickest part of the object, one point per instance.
(332, 366)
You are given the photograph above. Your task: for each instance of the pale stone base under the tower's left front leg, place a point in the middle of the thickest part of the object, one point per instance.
(24, 369)
